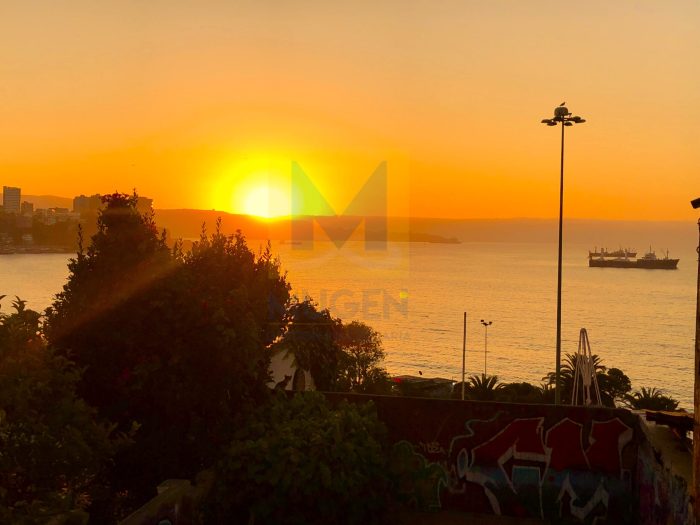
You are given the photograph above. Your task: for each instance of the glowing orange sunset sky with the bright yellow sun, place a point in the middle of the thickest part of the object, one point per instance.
(206, 104)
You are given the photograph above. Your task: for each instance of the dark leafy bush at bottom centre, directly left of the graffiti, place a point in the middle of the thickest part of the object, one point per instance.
(303, 462)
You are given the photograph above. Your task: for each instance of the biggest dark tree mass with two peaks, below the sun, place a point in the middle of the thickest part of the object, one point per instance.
(176, 343)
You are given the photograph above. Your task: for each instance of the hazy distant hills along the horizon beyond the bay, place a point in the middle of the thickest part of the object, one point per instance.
(187, 224)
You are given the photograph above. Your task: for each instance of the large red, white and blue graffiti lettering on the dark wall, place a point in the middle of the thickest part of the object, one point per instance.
(524, 470)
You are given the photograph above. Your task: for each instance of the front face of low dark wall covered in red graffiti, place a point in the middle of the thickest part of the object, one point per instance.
(562, 464)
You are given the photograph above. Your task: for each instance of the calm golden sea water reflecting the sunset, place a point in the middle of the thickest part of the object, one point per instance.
(414, 294)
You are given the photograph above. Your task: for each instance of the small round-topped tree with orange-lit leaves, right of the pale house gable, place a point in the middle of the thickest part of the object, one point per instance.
(362, 354)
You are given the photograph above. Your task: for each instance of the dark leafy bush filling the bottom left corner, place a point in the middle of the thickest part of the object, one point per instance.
(52, 450)
